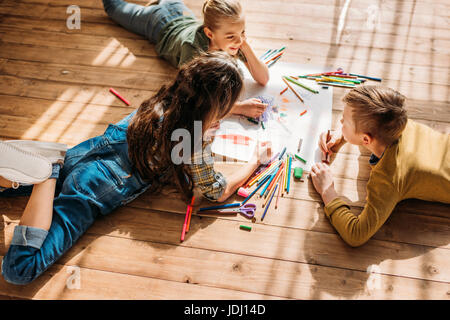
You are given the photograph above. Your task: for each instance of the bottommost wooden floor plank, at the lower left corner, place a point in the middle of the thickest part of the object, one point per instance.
(57, 284)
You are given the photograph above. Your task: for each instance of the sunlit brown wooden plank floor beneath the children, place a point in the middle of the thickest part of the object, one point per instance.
(54, 86)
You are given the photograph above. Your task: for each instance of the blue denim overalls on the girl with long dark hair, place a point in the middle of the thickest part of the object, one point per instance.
(96, 178)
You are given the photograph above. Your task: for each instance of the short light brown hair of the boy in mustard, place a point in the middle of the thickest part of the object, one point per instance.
(378, 111)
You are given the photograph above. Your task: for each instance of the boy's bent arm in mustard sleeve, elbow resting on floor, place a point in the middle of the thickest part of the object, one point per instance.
(355, 230)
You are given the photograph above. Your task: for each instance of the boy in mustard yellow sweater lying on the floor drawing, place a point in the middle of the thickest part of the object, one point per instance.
(409, 160)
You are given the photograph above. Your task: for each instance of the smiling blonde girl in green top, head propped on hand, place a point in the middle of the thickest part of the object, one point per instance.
(179, 37)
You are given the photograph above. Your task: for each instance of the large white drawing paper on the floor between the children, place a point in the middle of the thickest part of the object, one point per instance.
(282, 131)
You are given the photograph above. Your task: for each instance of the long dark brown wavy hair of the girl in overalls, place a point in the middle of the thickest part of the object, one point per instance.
(204, 89)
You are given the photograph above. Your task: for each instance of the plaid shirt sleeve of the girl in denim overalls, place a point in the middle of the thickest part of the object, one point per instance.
(211, 183)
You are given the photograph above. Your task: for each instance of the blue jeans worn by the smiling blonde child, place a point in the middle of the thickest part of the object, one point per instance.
(146, 21)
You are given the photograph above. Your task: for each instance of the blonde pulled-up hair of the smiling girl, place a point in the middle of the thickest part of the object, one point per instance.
(215, 10)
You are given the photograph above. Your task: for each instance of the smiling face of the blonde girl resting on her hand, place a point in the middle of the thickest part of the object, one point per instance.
(229, 35)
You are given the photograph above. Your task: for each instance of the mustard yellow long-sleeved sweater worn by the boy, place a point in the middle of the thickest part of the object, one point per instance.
(416, 166)
